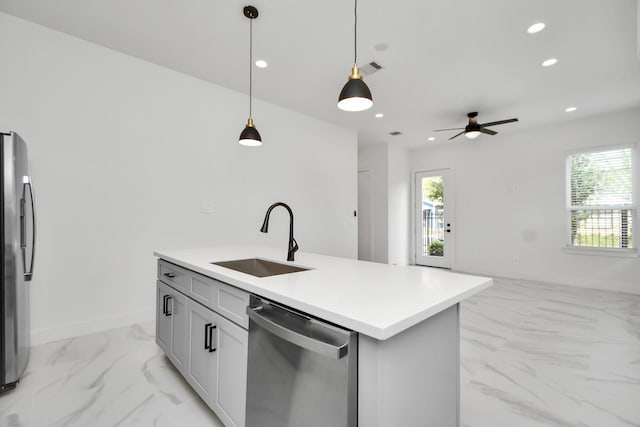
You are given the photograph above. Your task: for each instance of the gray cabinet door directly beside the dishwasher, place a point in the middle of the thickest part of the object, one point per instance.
(230, 399)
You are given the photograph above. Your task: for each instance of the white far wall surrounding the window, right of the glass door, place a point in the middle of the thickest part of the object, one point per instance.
(510, 202)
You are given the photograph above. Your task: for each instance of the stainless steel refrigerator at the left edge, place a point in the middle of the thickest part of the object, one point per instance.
(17, 218)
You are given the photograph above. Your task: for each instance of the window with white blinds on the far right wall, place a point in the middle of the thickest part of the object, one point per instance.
(600, 197)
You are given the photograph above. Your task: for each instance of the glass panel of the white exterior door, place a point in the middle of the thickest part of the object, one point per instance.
(433, 216)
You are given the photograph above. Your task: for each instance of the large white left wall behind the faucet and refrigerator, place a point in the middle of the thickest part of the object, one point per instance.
(123, 153)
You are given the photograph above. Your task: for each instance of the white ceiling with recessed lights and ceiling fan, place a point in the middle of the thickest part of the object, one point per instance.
(444, 58)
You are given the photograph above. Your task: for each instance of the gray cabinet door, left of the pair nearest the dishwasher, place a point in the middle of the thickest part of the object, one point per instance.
(203, 356)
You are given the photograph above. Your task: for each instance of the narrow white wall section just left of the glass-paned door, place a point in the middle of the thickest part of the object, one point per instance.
(391, 189)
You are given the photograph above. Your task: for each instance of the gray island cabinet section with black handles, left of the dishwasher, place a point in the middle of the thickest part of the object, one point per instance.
(200, 325)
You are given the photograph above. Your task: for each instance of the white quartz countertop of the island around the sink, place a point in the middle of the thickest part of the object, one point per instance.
(378, 300)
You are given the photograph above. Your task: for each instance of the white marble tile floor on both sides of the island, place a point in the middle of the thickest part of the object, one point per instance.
(532, 354)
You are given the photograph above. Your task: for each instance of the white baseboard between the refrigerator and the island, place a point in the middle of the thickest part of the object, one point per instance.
(70, 330)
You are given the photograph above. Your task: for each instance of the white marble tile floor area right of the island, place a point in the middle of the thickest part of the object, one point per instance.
(536, 354)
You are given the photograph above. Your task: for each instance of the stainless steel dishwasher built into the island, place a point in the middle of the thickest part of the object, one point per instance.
(301, 371)
